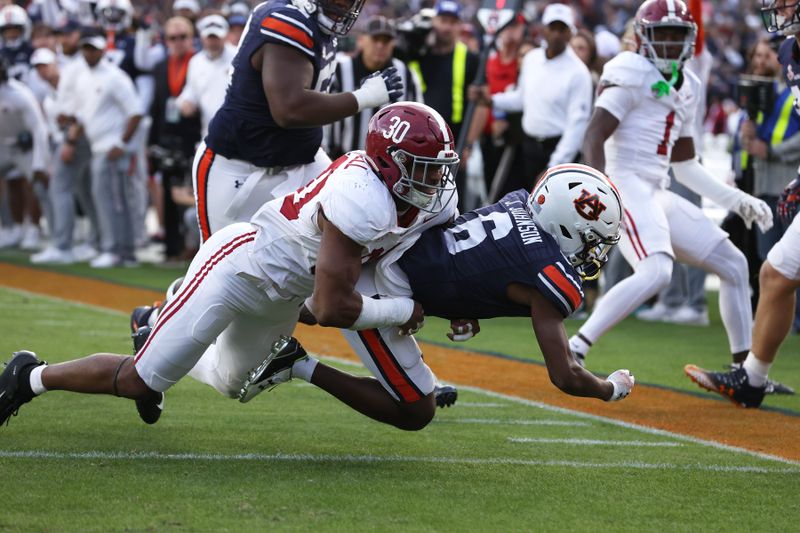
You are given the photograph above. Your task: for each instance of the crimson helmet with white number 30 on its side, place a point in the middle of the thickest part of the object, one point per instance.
(413, 151)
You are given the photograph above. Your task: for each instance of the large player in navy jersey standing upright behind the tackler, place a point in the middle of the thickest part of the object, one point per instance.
(264, 141)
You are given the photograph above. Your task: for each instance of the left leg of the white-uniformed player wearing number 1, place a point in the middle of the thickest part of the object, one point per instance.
(646, 246)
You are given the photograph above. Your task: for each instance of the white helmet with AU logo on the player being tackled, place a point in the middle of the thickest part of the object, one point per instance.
(582, 210)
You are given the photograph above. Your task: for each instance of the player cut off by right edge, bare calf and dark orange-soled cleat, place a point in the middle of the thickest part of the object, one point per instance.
(779, 278)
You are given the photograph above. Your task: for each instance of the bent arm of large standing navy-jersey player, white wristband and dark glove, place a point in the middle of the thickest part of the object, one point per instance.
(287, 74)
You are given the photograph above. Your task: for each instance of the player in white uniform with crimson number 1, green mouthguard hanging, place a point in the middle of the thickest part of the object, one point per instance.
(641, 126)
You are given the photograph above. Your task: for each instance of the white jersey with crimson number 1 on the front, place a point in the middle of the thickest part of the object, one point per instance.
(649, 124)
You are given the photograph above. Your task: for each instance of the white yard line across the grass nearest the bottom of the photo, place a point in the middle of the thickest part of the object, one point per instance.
(324, 458)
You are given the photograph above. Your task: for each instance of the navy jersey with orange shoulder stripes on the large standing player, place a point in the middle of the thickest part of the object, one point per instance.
(243, 128)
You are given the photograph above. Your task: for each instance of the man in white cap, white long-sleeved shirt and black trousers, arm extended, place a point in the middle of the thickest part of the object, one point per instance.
(554, 93)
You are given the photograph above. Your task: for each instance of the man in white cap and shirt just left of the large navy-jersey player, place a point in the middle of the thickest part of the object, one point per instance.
(207, 78)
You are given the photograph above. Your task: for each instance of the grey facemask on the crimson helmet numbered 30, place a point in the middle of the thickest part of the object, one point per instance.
(418, 185)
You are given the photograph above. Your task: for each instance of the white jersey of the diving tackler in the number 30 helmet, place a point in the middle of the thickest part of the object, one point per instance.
(353, 198)
